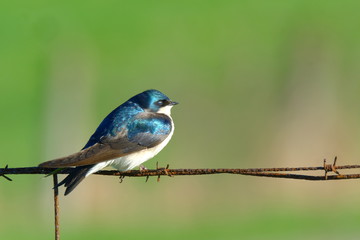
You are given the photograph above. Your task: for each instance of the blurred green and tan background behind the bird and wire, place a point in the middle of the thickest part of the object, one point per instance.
(261, 84)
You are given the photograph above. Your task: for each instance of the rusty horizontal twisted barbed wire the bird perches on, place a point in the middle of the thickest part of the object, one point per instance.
(259, 172)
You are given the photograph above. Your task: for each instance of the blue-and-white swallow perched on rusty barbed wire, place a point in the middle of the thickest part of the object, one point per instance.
(131, 134)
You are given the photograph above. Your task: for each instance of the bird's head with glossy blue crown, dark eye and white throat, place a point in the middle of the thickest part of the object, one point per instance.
(154, 101)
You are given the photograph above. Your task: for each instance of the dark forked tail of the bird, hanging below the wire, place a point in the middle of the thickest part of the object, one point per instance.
(75, 176)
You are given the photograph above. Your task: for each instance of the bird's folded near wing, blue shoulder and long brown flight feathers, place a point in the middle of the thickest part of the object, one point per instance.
(145, 130)
